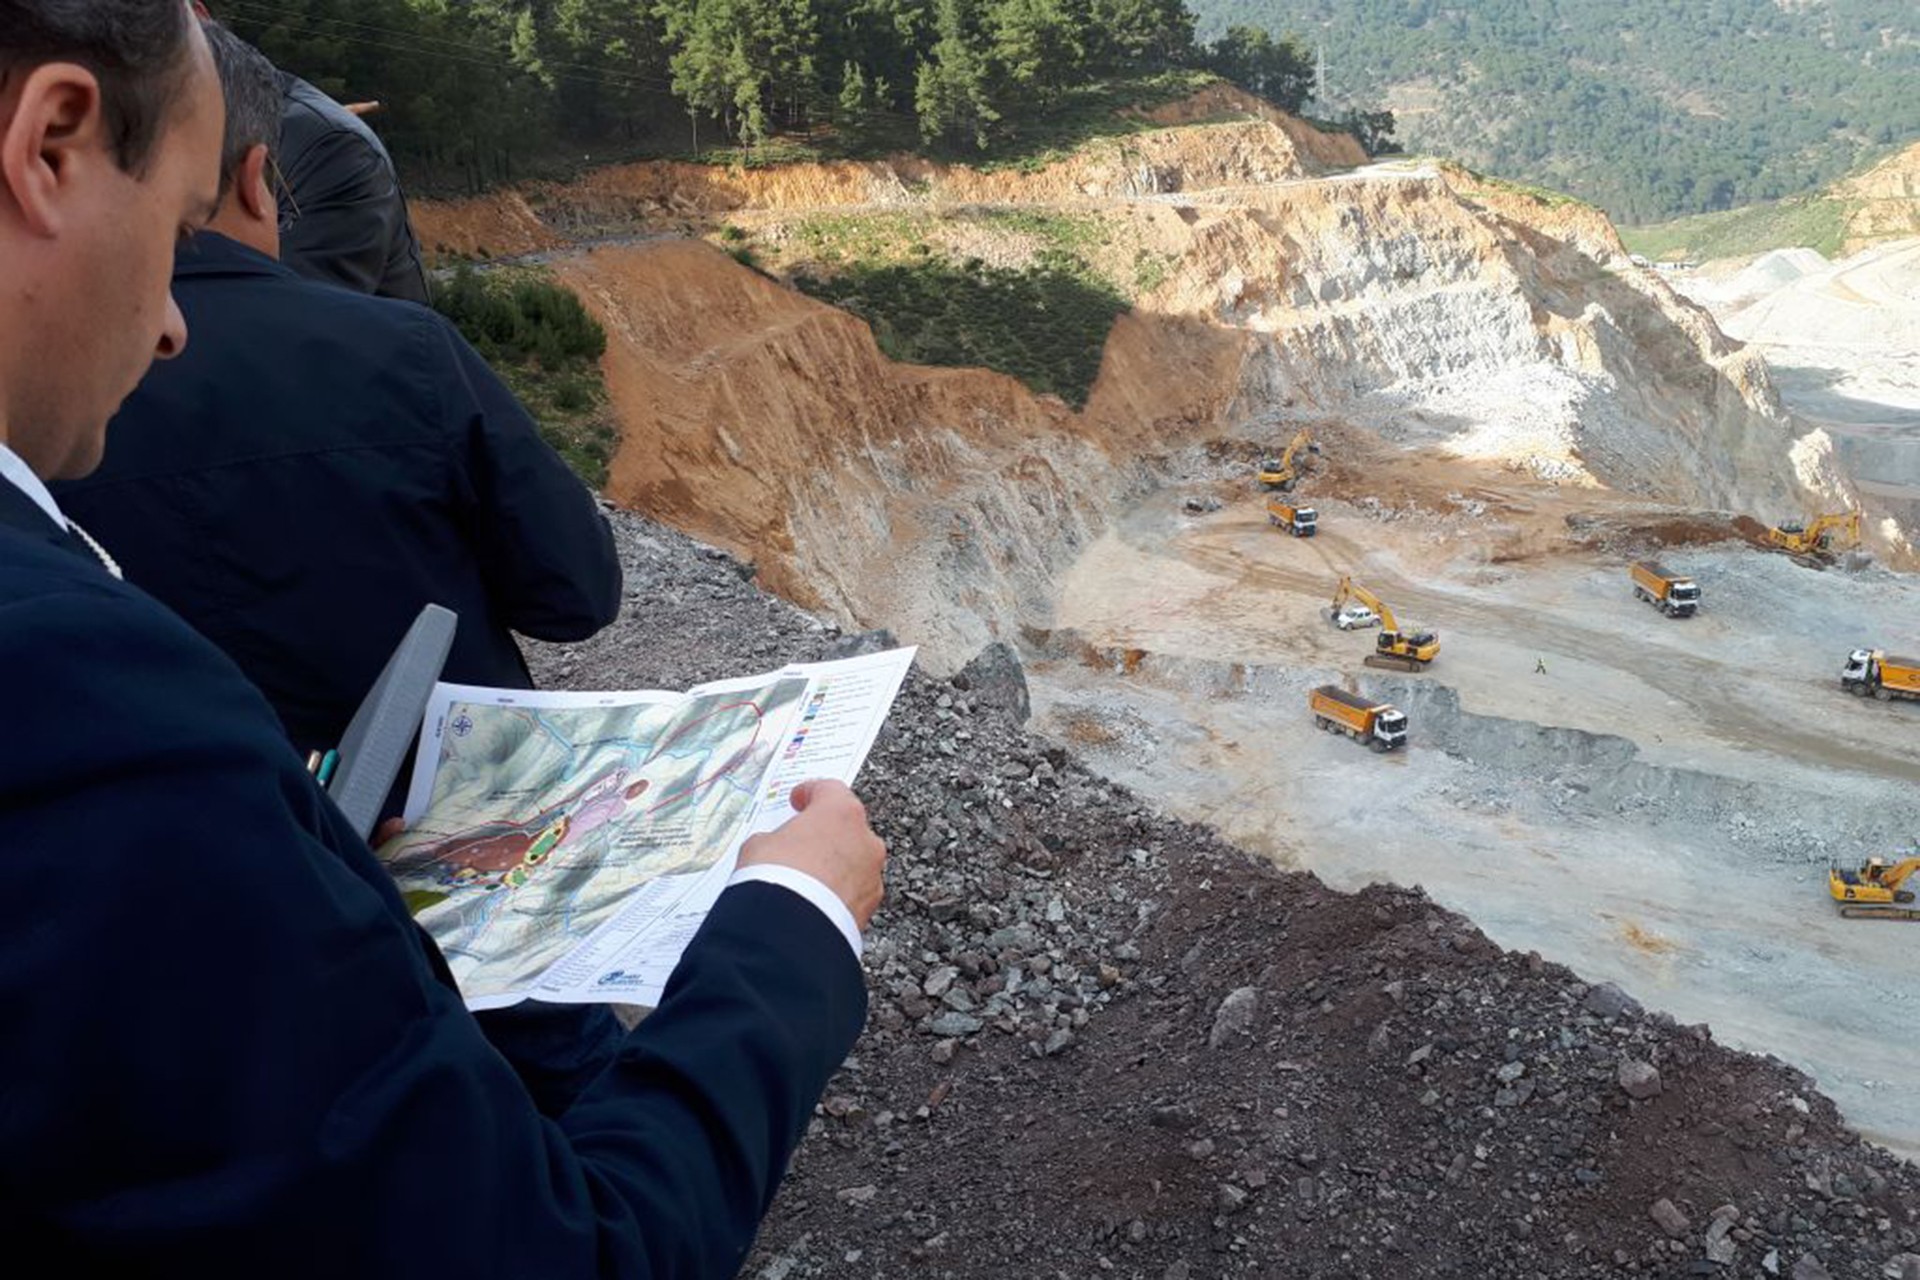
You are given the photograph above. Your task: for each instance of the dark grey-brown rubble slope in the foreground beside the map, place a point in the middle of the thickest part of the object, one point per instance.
(1103, 1041)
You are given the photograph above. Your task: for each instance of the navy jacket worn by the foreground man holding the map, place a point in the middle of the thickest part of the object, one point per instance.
(229, 1055)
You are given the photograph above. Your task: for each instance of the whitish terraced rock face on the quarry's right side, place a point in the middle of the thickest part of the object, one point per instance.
(1403, 304)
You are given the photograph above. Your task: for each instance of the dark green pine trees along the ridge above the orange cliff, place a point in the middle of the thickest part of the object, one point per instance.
(483, 91)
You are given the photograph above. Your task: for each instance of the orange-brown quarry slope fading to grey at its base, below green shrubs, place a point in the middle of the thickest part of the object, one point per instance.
(773, 425)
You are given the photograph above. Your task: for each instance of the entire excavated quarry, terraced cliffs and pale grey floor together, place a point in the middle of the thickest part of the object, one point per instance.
(1512, 412)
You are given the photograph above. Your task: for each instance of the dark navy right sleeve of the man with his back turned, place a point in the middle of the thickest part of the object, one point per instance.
(540, 538)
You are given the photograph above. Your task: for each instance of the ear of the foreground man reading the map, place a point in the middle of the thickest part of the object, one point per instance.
(53, 137)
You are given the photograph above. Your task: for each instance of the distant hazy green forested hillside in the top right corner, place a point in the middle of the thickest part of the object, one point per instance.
(1648, 108)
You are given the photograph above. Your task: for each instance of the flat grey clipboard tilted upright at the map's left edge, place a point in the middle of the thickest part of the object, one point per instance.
(389, 719)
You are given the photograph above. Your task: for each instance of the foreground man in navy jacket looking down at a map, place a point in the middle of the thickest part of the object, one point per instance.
(229, 1051)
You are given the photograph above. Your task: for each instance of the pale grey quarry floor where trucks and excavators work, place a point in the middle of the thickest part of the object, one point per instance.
(1656, 809)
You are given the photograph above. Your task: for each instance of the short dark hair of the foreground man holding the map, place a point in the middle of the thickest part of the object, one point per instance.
(137, 51)
